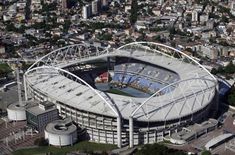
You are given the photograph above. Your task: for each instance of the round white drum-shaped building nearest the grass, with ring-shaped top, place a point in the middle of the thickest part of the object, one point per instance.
(61, 132)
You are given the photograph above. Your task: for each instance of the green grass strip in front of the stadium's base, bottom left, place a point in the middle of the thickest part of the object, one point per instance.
(82, 146)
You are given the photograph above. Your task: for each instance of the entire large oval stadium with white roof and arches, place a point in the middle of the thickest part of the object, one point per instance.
(132, 95)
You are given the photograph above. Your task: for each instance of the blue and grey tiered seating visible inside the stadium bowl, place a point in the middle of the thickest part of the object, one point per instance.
(144, 76)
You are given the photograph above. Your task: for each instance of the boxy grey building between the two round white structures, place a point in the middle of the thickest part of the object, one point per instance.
(40, 115)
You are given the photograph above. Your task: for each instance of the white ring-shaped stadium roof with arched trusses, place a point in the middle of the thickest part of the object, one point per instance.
(194, 90)
